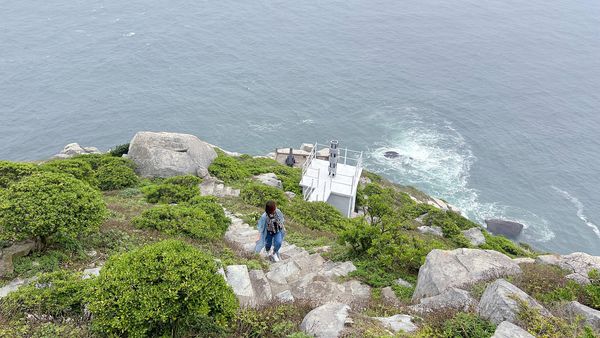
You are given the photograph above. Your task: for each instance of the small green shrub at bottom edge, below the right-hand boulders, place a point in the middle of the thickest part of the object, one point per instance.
(468, 325)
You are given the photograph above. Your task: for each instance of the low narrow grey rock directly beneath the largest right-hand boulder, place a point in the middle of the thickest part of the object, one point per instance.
(452, 298)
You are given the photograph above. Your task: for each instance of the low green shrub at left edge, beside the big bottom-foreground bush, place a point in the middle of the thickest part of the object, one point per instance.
(56, 294)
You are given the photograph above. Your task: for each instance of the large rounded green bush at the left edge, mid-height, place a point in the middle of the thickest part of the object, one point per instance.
(47, 205)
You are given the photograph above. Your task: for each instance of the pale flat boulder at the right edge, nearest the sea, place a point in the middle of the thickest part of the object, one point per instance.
(578, 263)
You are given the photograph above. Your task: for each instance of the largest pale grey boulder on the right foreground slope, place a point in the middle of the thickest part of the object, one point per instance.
(459, 268)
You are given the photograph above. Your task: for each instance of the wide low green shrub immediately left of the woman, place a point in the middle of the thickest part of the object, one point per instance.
(181, 219)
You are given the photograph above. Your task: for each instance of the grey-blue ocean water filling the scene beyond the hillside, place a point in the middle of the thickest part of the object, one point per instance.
(493, 104)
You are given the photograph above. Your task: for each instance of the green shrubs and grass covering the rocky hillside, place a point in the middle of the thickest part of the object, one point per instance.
(161, 243)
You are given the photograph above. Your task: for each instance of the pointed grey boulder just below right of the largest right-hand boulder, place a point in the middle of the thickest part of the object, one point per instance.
(498, 302)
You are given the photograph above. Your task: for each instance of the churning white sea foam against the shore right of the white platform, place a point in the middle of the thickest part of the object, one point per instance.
(435, 157)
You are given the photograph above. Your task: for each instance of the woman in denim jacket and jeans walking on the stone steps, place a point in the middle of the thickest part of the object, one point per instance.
(271, 231)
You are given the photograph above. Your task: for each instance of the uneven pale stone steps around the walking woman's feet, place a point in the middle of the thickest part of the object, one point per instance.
(298, 276)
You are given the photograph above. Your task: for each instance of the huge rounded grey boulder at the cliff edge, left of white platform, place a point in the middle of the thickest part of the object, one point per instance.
(170, 154)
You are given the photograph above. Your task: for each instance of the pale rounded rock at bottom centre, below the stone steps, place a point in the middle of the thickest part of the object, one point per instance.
(326, 321)
